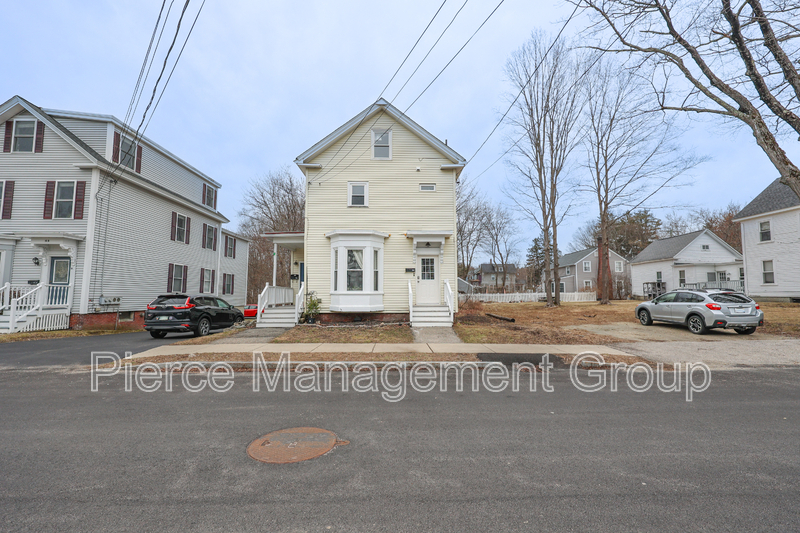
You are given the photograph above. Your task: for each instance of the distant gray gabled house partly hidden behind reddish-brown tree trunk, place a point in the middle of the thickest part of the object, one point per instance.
(578, 272)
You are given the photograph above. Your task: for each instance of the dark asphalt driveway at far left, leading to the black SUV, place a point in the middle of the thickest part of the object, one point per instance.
(77, 350)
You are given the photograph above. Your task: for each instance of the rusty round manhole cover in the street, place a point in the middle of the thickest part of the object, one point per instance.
(293, 445)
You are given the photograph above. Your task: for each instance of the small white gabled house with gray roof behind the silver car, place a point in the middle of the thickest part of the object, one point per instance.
(696, 260)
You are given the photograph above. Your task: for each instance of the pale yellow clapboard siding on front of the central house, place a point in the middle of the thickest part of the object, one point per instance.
(395, 207)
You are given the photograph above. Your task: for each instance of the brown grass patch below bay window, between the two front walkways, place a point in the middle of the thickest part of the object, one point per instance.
(387, 333)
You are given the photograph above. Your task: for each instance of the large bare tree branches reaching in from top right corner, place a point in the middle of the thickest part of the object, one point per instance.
(723, 58)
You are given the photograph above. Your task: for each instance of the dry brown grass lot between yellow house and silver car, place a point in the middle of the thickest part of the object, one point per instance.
(537, 324)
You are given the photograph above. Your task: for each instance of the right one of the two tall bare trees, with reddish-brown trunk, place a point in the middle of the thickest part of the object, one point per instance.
(630, 154)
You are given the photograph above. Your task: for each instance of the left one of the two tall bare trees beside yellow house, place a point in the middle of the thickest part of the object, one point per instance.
(548, 114)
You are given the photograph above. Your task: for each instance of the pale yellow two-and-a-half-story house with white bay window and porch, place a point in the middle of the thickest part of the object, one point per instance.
(380, 235)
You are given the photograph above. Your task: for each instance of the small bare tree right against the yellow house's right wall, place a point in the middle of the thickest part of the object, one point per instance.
(471, 212)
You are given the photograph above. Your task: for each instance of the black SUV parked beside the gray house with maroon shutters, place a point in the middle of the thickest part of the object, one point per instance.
(181, 313)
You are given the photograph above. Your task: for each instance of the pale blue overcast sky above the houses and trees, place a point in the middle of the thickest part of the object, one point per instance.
(260, 82)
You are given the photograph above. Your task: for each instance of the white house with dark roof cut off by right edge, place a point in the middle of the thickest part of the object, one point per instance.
(771, 243)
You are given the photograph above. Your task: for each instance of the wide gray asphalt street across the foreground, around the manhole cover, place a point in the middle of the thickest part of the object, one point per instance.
(562, 461)
